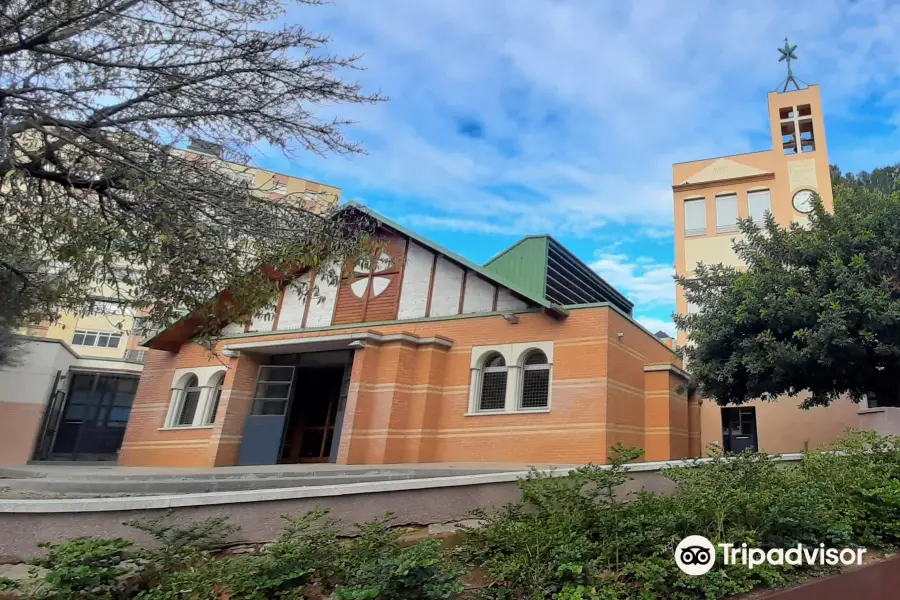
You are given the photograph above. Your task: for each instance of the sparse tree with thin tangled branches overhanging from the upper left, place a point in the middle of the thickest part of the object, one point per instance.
(96, 98)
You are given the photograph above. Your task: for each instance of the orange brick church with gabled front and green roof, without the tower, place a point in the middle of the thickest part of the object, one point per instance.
(416, 356)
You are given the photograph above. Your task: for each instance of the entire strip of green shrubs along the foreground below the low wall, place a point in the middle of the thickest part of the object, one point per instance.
(570, 537)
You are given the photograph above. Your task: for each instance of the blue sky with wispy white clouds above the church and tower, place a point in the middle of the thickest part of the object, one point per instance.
(512, 117)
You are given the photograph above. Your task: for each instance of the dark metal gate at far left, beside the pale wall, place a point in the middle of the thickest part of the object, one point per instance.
(92, 423)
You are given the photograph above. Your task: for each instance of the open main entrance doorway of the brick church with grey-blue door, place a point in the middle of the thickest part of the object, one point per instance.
(298, 409)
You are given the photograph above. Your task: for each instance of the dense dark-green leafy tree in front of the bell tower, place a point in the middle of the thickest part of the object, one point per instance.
(817, 308)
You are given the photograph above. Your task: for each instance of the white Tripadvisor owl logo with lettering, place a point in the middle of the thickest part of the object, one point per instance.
(696, 555)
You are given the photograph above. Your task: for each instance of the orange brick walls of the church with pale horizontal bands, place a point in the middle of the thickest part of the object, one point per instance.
(408, 402)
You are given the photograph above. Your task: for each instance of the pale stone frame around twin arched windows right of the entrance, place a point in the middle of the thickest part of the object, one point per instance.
(514, 355)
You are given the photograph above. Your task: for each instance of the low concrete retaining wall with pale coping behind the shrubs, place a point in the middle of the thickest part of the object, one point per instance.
(25, 523)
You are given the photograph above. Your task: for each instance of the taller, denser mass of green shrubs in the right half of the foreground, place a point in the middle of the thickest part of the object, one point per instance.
(573, 537)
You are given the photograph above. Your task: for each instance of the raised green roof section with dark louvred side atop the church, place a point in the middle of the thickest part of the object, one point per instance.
(543, 266)
